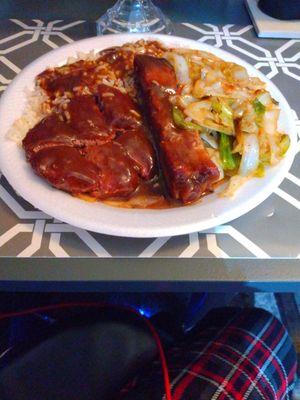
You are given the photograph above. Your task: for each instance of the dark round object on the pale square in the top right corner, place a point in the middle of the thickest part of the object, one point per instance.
(281, 9)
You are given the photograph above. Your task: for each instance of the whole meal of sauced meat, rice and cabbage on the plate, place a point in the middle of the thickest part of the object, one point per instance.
(144, 126)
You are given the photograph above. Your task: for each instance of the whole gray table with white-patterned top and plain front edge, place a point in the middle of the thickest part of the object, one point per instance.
(259, 250)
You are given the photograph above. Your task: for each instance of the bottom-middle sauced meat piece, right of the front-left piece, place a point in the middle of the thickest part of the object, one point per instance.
(117, 176)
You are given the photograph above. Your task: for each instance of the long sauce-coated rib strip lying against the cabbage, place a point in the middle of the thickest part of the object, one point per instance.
(187, 169)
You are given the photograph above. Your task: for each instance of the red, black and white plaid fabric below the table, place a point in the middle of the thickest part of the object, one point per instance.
(235, 354)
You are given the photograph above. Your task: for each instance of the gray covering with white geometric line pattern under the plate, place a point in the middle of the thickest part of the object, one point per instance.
(269, 231)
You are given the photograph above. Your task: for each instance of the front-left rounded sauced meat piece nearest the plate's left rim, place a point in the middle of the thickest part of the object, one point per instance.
(64, 168)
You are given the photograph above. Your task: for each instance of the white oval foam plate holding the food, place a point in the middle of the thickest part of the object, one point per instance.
(98, 217)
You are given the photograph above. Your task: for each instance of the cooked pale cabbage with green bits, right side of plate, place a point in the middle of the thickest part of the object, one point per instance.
(220, 97)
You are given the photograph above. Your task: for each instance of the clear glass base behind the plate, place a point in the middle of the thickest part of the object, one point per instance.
(133, 16)
